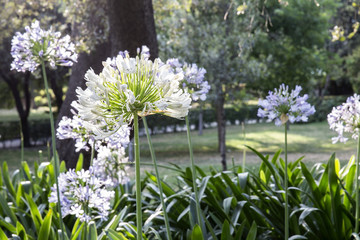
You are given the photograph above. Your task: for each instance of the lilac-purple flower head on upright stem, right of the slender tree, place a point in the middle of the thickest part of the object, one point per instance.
(284, 106)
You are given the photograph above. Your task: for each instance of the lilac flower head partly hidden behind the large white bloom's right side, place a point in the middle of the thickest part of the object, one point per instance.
(193, 78)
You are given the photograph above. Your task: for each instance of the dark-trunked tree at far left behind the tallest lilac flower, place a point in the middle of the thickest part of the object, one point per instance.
(20, 14)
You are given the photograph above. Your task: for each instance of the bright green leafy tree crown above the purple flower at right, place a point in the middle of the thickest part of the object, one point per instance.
(293, 43)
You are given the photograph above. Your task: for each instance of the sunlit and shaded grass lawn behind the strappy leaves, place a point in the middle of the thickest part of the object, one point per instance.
(312, 140)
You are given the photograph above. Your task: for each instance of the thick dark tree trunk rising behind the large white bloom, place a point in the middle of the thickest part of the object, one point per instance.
(131, 26)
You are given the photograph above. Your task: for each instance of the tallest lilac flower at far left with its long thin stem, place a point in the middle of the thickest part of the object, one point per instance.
(37, 47)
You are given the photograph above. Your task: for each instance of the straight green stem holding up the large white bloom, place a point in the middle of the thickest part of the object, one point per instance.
(137, 177)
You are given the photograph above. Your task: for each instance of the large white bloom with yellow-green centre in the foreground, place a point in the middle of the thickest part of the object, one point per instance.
(127, 87)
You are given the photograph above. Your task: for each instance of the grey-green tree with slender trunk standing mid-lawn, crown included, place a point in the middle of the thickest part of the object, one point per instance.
(217, 35)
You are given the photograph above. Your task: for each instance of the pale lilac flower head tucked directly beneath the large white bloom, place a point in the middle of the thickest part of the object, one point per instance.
(76, 128)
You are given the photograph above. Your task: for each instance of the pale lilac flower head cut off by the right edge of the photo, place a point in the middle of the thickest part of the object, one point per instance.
(346, 118)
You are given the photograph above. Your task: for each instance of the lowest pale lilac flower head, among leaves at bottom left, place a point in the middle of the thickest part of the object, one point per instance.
(83, 194)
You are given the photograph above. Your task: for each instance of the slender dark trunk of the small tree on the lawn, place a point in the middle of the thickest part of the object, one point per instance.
(221, 122)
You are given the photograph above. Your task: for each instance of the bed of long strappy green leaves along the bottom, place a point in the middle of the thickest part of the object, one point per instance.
(235, 204)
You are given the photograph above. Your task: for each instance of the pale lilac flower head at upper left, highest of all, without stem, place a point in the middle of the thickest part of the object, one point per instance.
(35, 45)
